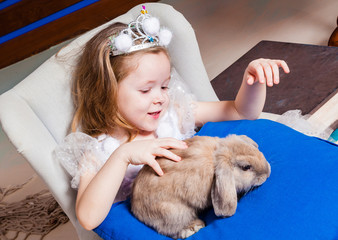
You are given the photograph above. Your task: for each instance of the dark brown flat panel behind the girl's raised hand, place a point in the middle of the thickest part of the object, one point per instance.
(313, 76)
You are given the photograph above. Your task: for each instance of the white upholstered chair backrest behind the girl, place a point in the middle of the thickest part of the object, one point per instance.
(36, 114)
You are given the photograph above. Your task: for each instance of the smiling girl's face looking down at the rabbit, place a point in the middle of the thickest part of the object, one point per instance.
(143, 95)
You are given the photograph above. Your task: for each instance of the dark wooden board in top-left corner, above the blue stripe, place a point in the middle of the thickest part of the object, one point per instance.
(26, 12)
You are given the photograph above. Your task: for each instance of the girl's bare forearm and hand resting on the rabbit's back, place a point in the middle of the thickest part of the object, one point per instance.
(97, 192)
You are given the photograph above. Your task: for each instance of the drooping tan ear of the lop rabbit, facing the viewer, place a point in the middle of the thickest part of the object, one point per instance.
(223, 192)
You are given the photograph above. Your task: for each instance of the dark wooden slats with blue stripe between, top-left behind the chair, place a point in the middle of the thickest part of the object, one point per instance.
(28, 27)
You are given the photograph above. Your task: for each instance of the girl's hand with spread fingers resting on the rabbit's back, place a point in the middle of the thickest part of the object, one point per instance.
(145, 151)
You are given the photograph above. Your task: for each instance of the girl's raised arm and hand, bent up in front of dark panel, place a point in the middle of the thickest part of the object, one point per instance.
(250, 98)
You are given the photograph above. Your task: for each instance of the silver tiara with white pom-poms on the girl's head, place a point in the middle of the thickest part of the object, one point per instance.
(144, 32)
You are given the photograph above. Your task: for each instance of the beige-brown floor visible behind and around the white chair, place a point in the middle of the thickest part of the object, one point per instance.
(225, 31)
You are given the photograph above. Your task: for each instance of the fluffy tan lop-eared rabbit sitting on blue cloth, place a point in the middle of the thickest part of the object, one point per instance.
(211, 173)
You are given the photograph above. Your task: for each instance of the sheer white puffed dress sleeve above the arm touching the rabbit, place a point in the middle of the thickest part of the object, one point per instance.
(80, 153)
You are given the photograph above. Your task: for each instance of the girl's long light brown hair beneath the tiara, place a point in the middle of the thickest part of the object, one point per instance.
(95, 84)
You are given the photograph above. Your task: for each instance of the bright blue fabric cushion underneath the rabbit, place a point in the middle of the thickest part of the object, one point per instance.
(298, 201)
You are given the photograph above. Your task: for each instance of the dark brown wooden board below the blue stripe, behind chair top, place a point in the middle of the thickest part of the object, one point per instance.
(63, 29)
